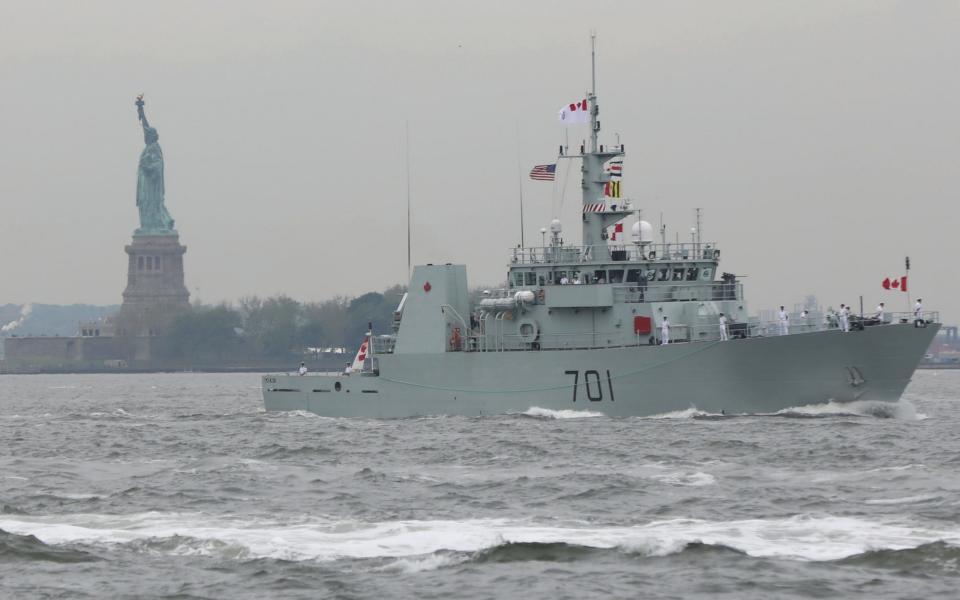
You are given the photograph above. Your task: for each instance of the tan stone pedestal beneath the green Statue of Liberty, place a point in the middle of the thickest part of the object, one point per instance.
(155, 292)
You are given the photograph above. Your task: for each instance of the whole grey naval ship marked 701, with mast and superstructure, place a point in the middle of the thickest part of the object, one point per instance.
(580, 327)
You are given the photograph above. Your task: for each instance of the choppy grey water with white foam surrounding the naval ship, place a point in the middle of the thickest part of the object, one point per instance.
(179, 486)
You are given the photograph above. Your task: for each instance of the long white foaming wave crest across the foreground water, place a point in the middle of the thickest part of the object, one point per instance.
(802, 538)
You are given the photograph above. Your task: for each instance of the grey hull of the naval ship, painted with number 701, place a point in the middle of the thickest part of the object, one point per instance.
(754, 375)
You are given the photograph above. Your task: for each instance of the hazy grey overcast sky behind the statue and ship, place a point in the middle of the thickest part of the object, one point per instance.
(822, 139)
